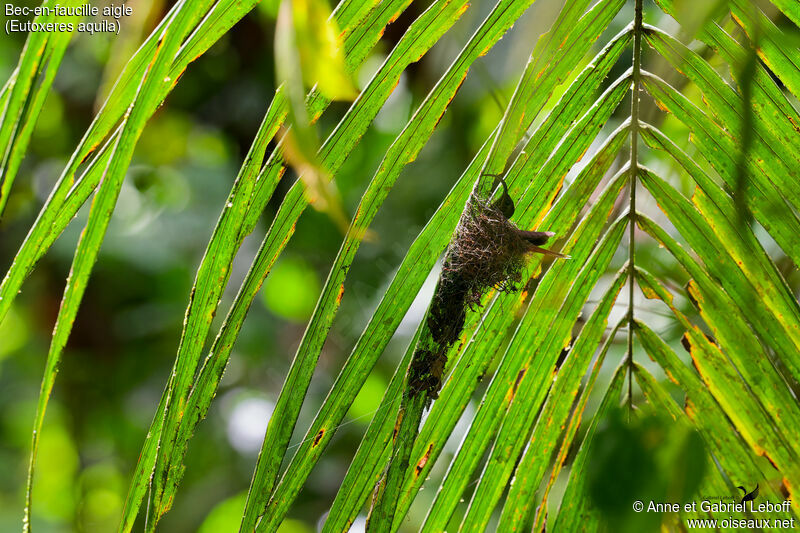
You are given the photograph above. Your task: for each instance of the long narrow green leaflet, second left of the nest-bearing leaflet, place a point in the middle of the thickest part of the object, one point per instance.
(403, 150)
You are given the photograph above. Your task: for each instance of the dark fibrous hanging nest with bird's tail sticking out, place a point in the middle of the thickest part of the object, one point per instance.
(488, 251)
